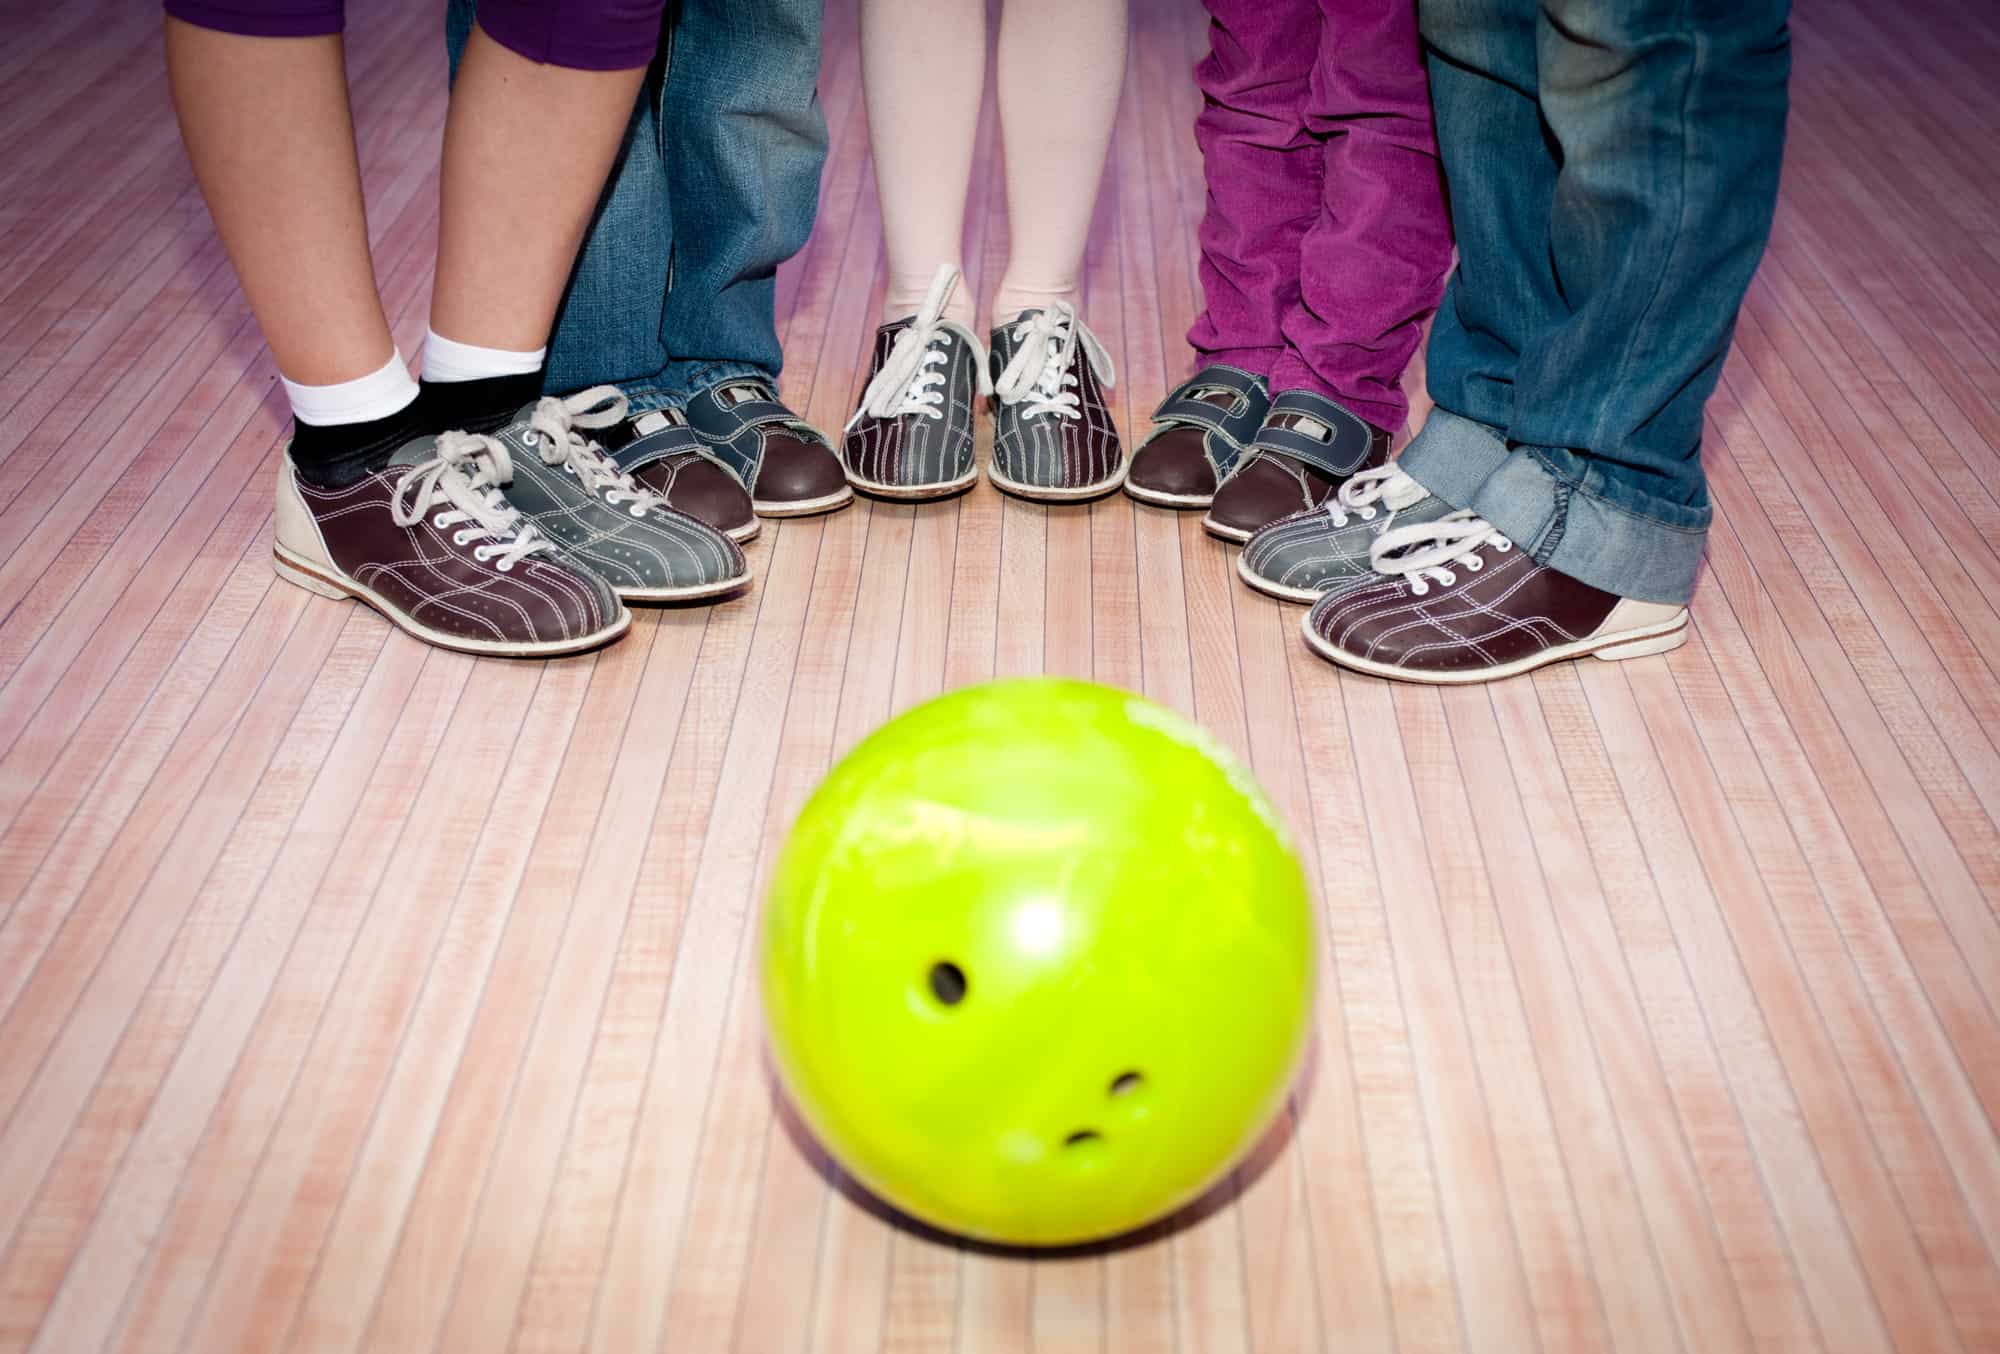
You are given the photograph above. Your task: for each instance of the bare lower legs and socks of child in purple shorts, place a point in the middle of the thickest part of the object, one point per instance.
(273, 145)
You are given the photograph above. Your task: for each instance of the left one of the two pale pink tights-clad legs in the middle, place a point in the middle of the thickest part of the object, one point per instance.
(923, 75)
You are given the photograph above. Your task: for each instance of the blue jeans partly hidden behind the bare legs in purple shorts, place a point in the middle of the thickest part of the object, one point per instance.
(715, 187)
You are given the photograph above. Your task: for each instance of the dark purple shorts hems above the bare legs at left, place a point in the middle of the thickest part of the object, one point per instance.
(583, 35)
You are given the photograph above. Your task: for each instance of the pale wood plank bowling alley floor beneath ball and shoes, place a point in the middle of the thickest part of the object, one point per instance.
(361, 997)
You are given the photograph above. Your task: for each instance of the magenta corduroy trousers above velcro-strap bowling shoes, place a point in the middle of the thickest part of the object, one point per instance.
(1325, 241)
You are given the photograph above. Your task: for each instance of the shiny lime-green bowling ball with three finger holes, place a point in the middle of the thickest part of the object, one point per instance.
(1039, 963)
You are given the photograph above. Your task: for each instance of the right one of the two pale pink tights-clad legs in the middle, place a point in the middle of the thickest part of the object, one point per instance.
(1061, 69)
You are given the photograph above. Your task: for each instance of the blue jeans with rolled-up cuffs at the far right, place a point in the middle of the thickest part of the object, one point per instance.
(1613, 171)
